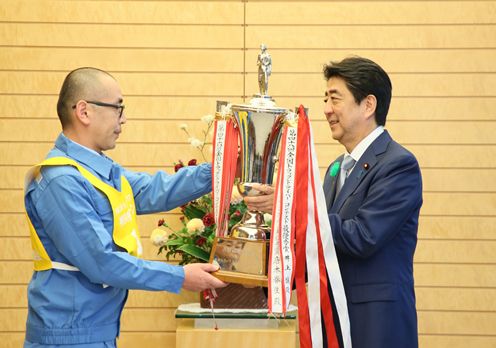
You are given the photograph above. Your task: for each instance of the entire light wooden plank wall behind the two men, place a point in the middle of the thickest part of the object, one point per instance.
(175, 59)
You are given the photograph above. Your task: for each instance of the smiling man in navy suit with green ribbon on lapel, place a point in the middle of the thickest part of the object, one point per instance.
(374, 195)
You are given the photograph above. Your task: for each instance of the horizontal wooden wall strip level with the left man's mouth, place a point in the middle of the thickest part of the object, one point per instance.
(135, 131)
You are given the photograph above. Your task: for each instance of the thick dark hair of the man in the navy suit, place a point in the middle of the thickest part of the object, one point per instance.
(364, 77)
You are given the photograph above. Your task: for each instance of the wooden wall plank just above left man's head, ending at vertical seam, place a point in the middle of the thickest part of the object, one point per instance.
(153, 60)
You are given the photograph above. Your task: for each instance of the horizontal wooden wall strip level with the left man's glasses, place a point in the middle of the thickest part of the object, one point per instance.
(412, 108)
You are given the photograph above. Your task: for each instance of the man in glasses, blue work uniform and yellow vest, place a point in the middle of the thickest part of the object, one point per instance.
(82, 207)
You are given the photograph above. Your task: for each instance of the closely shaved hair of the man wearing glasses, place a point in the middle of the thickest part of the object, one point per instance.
(81, 83)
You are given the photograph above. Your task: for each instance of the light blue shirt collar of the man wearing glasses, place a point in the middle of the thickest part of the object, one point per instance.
(99, 163)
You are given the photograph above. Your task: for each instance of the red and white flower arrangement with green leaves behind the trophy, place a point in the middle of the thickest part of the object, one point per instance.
(193, 241)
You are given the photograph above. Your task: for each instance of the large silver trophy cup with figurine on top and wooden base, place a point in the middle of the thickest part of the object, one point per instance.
(242, 254)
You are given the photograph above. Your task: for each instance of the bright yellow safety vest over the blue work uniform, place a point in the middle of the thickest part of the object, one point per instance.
(125, 232)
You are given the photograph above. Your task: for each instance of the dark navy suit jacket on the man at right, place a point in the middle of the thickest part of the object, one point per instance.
(374, 222)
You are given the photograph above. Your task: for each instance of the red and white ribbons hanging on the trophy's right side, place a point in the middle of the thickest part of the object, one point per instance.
(300, 226)
